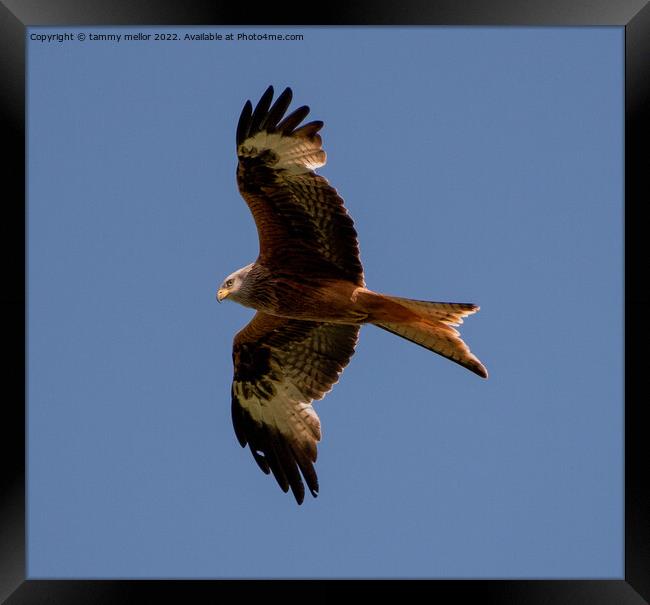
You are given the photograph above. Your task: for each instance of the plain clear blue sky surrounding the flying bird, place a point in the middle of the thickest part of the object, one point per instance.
(480, 165)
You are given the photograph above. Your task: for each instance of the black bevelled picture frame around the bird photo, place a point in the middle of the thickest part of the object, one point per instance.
(633, 14)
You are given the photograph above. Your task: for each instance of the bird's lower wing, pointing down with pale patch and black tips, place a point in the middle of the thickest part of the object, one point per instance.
(280, 366)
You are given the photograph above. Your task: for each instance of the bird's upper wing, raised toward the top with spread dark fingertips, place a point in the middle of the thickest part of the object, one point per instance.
(301, 221)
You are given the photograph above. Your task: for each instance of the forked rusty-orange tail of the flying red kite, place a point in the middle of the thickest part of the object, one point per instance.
(429, 324)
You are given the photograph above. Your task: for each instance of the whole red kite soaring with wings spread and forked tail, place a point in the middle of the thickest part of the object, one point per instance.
(308, 289)
